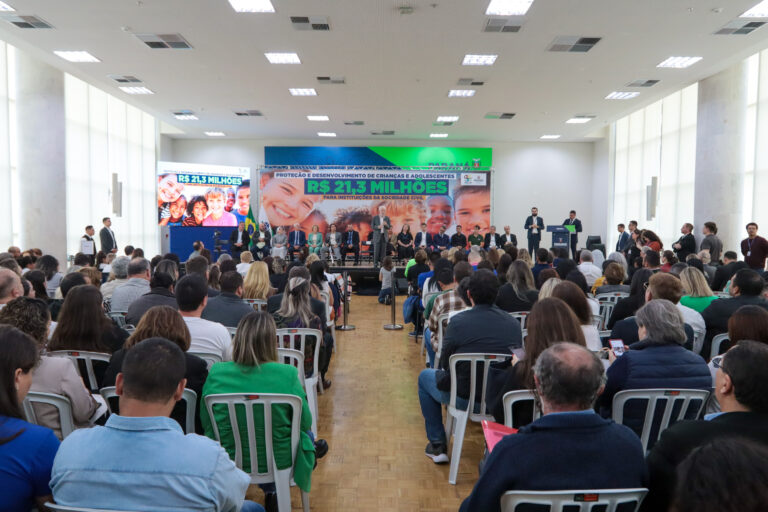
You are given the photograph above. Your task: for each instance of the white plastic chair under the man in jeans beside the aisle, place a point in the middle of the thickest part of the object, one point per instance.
(456, 419)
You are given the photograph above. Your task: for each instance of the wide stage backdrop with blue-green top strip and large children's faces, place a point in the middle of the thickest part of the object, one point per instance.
(437, 186)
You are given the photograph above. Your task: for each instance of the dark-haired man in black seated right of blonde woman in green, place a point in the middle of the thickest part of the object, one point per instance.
(746, 290)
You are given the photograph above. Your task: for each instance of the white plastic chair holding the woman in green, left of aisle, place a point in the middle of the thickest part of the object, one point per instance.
(245, 403)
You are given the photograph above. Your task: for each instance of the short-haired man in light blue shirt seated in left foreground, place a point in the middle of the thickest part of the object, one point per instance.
(144, 439)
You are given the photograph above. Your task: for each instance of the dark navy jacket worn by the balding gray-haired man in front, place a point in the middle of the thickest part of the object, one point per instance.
(560, 451)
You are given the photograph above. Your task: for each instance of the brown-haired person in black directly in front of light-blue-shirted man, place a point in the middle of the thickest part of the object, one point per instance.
(164, 322)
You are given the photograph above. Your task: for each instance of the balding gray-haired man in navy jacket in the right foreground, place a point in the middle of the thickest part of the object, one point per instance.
(570, 446)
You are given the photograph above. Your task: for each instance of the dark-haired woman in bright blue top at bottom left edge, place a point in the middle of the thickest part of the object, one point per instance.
(26, 450)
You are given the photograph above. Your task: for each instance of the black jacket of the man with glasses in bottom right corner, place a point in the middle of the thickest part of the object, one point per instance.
(678, 441)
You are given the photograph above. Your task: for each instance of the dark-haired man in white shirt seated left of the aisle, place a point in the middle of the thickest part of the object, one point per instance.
(207, 337)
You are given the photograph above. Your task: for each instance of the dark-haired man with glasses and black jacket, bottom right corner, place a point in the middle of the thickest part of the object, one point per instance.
(741, 388)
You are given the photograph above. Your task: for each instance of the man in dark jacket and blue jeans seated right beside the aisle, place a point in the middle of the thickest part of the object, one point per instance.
(483, 329)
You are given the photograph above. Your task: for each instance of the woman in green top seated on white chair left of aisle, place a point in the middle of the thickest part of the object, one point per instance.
(255, 369)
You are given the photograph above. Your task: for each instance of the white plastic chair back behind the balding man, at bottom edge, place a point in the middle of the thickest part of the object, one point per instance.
(604, 500)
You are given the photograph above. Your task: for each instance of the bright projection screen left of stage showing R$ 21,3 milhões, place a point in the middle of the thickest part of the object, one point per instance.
(194, 195)
